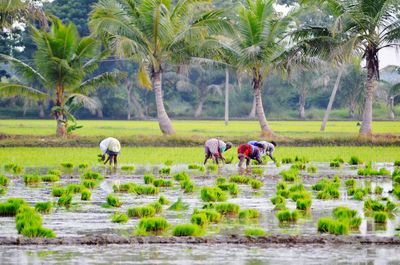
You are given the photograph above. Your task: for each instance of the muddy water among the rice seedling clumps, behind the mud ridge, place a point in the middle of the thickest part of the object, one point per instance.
(88, 218)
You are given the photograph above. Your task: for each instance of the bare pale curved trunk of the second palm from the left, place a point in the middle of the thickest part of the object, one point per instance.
(163, 120)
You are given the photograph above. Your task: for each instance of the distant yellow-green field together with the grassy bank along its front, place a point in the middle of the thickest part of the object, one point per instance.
(192, 133)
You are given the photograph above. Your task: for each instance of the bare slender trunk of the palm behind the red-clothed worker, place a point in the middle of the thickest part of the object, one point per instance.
(265, 129)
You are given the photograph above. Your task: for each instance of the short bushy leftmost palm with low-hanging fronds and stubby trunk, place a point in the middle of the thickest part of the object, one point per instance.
(62, 63)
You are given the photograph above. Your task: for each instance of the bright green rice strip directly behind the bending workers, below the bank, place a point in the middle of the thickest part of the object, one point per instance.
(183, 155)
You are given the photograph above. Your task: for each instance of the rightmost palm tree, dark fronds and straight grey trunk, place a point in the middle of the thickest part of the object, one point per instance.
(365, 27)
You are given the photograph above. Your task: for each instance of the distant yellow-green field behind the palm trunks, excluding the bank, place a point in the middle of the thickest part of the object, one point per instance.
(298, 129)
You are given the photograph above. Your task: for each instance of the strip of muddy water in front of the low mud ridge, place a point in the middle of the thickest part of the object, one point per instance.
(201, 254)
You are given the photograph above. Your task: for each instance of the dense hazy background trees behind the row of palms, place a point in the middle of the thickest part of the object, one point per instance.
(196, 89)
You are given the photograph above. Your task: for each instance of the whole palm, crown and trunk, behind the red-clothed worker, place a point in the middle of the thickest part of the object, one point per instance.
(257, 45)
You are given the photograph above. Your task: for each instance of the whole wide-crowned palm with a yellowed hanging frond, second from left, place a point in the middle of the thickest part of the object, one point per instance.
(152, 33)
